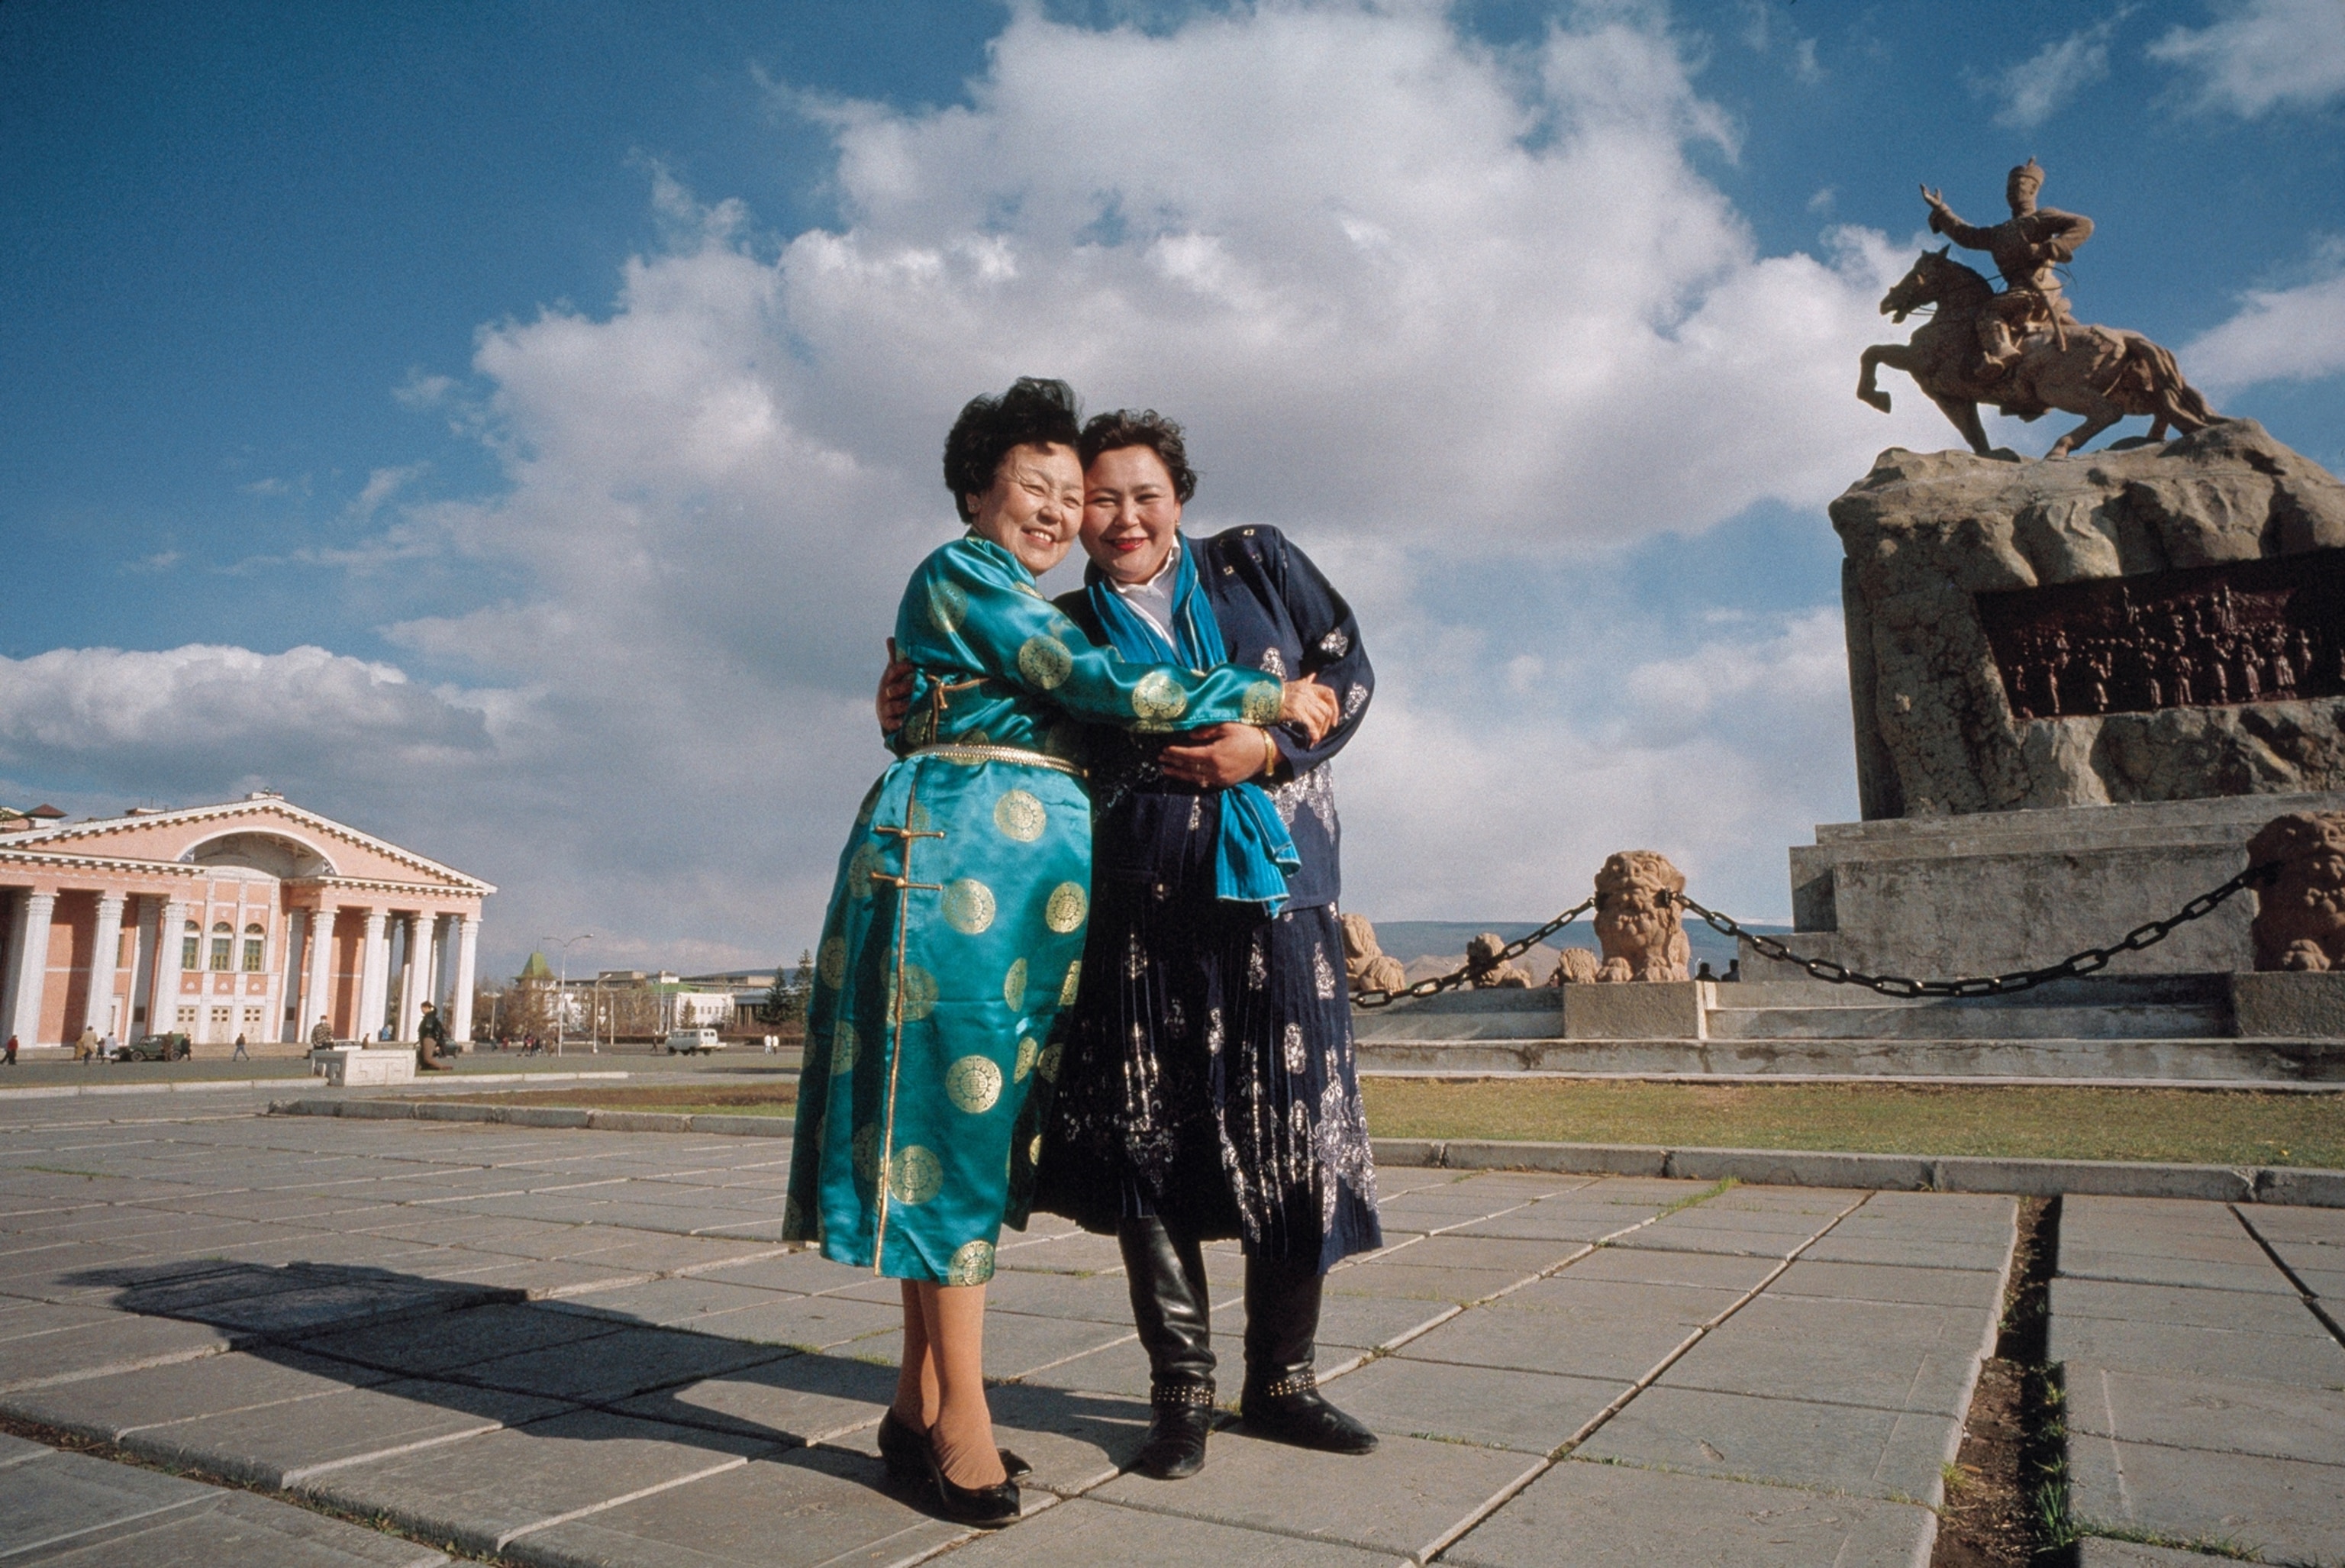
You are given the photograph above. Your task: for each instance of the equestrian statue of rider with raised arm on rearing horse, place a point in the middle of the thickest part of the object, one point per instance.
(2023, 350)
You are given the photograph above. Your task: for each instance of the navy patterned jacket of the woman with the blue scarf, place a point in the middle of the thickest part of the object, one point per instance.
(1277, 615)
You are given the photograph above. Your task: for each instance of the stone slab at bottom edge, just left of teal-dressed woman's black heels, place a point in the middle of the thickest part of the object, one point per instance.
(803, 1508)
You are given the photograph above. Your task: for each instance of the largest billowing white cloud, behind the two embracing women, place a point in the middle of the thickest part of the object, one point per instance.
(1420, 304)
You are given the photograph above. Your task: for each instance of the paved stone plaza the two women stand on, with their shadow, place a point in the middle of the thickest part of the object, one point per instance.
(379, 1342)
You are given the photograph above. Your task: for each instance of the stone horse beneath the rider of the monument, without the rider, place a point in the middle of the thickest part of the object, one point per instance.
(2095, 371)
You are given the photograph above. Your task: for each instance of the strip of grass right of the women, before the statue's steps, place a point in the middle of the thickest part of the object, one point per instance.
(2016, 1122)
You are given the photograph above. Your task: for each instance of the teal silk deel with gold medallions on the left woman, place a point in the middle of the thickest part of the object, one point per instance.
(956, 925)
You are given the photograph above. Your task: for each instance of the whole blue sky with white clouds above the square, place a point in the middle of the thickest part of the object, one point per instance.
(508, 428)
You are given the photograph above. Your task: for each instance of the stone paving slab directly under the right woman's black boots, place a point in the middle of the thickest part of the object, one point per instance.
(1401, 1499)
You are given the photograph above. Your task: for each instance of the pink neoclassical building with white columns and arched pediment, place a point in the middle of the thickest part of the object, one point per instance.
(252, 918)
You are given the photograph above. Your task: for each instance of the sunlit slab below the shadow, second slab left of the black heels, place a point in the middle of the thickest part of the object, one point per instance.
(491, 1489)
